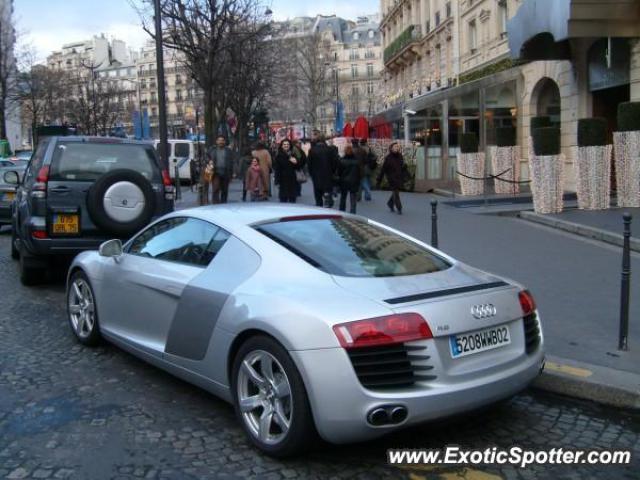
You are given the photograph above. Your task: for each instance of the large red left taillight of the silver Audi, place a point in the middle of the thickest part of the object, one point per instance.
(403, 327)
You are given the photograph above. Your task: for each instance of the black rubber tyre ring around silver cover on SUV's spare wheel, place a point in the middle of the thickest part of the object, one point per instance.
(96, 208)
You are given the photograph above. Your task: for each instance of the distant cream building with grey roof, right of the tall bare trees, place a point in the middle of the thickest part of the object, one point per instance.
(349, 64)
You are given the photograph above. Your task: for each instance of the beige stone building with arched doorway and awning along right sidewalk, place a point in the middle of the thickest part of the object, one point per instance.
(507, 63)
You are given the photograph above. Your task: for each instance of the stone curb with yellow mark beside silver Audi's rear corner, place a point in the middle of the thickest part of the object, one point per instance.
(607, 386)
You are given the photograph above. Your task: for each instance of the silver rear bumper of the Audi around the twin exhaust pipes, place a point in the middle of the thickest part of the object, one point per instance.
(340, 404)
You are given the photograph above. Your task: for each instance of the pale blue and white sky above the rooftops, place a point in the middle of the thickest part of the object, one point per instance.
(46, 25)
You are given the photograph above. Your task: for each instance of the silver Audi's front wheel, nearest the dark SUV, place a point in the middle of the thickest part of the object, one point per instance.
(81, 309)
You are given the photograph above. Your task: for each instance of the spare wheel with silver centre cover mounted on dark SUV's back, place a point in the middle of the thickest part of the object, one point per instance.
(121, 202)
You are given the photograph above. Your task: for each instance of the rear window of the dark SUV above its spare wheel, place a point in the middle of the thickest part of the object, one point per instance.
(88, 161)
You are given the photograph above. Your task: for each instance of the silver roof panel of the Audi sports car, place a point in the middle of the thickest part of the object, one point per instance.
(234, 215)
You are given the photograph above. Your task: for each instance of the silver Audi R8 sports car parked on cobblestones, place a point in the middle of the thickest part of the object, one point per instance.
(308, 320)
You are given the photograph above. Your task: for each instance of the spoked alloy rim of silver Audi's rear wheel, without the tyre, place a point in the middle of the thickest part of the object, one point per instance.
(264, 397)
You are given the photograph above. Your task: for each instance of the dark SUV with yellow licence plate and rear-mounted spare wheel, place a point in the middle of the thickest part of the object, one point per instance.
(78, 192)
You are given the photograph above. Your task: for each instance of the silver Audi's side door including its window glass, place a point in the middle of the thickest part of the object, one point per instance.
(142, 289)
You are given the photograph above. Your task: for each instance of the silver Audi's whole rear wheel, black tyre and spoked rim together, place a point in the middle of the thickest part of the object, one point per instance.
(300, 433)
